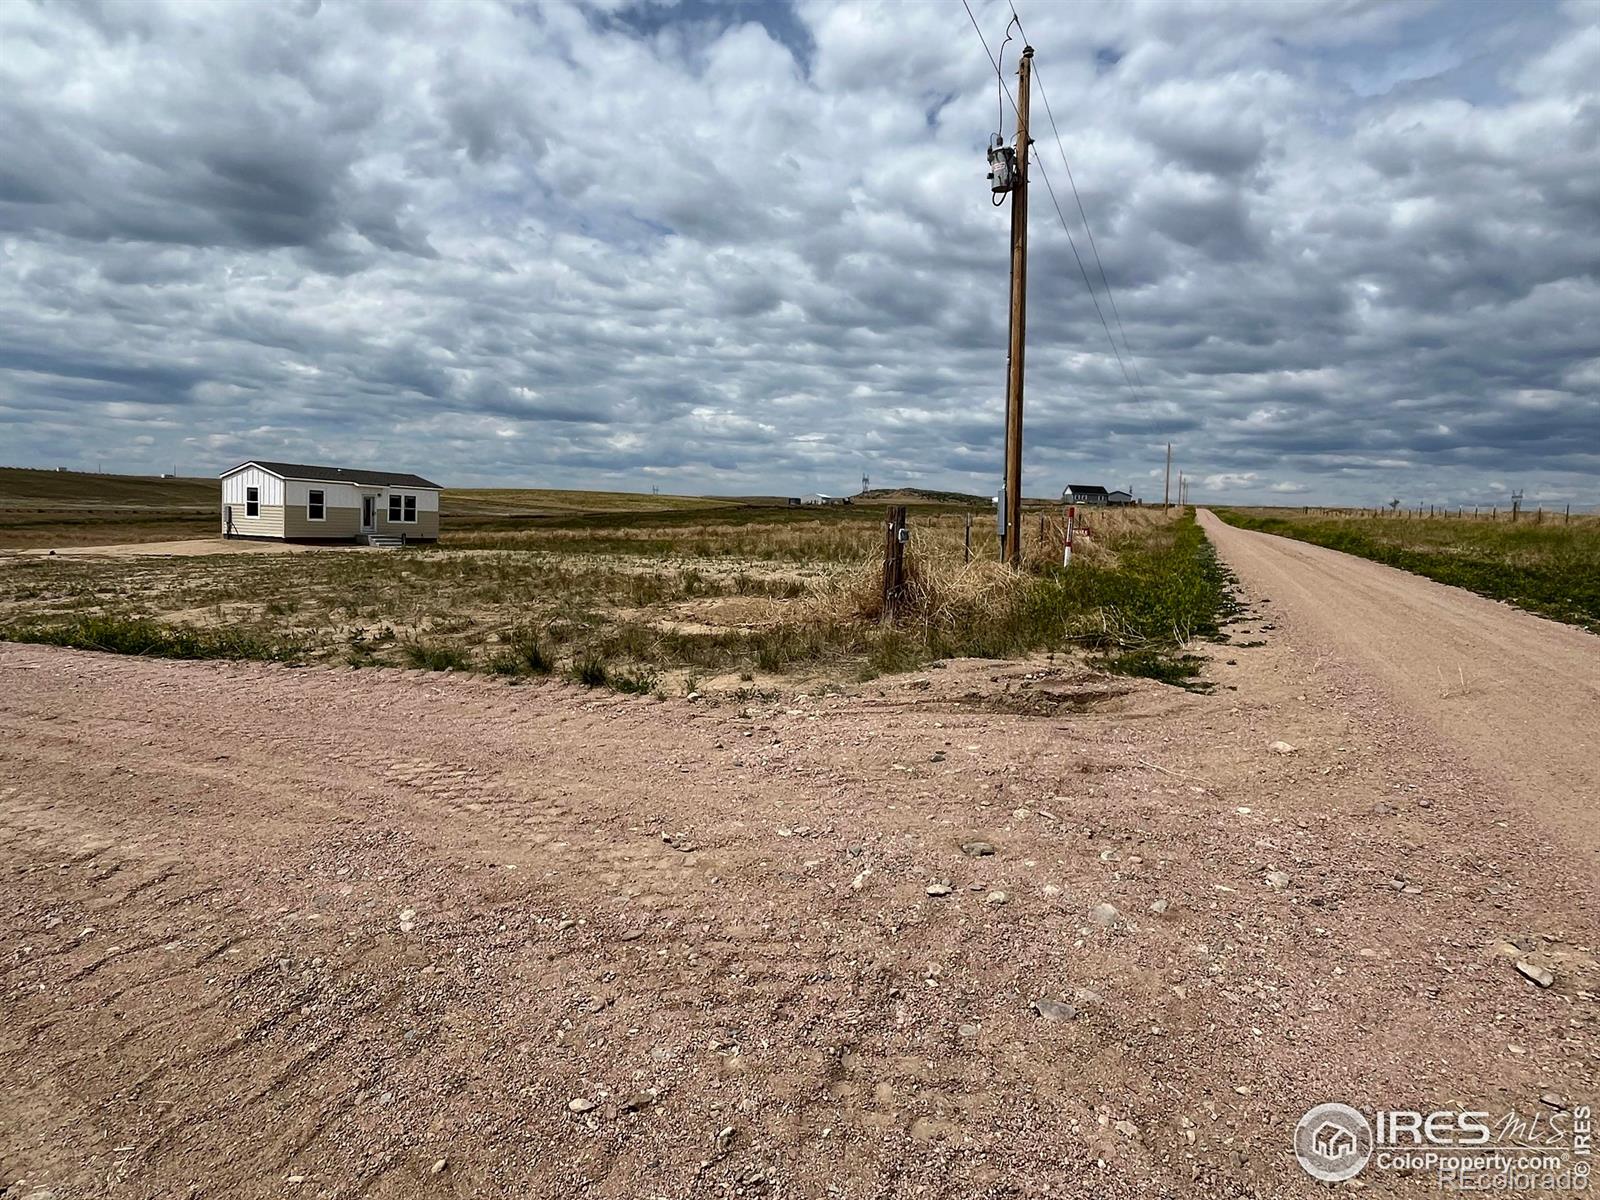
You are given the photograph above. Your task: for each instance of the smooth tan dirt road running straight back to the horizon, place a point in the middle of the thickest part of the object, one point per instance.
(1516, 695)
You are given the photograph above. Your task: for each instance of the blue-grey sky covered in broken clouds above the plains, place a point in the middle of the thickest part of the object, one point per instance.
(750, 247)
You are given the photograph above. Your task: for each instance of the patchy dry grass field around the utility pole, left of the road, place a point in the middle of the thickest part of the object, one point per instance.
(650, 594)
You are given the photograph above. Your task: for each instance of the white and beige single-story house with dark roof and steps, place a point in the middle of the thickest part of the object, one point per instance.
(300, 503)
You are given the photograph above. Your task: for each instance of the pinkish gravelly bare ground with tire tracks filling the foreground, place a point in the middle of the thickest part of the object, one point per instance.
(334, 934)
